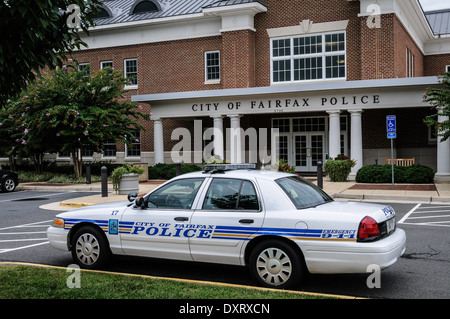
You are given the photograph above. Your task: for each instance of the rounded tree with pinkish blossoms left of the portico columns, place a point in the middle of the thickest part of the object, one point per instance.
(67, 111)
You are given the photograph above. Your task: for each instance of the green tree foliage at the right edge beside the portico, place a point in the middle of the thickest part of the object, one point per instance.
(440, 98)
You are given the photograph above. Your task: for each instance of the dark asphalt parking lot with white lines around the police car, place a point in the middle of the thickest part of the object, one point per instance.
(422, 272)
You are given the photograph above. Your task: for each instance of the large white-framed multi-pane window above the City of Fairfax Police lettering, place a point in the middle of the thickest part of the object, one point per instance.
(309, 58)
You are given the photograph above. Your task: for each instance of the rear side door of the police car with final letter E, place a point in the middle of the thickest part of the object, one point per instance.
(229, 214)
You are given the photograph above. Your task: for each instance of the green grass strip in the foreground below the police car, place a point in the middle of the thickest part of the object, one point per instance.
(28, 282)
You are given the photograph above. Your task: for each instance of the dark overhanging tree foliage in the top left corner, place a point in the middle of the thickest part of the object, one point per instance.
(36, 34)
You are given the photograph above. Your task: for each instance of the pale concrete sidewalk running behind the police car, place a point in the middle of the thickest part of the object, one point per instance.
(417, 193)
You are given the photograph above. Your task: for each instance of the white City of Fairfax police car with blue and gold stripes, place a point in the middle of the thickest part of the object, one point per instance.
(279, 225)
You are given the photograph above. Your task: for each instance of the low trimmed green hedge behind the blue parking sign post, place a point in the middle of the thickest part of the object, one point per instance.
(416, 174)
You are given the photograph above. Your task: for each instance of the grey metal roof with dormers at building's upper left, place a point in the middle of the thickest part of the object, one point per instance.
(121, 9)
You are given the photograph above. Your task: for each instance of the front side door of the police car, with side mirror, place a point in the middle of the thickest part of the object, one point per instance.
(159, 228)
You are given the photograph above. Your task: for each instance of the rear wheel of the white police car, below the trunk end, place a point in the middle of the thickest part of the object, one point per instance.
(275, 264)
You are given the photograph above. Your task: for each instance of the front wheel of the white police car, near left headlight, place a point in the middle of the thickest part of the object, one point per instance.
(90, 249)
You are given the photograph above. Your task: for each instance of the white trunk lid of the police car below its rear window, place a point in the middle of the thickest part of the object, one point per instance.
(359, 210)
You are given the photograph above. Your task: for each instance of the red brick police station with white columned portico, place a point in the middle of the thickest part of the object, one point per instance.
(325, 73)
